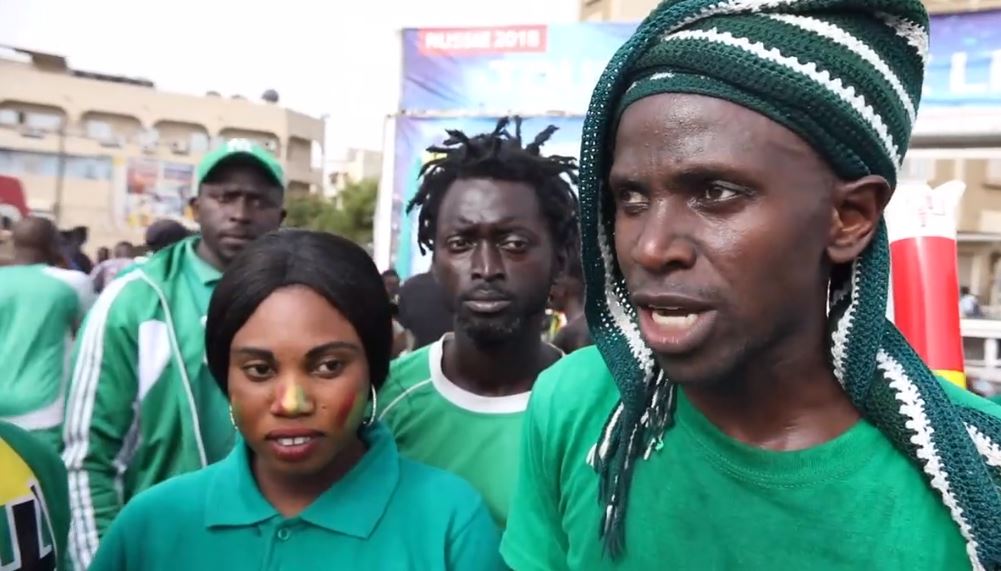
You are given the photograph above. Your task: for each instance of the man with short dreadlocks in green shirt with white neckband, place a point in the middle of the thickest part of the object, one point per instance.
(500, 219)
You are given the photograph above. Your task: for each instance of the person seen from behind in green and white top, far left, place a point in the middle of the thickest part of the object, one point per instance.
(42, 307)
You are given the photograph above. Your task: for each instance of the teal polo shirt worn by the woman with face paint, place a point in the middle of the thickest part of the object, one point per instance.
(387, 513)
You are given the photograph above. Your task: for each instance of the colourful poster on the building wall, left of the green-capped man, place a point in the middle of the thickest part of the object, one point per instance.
(157, 190)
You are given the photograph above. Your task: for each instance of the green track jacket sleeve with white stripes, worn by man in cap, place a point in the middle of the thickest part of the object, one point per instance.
(100, 414)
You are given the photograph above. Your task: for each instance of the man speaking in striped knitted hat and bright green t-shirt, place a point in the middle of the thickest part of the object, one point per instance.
(747, 405)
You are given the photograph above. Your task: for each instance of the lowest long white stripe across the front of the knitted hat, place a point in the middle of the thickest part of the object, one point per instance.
(835, 86)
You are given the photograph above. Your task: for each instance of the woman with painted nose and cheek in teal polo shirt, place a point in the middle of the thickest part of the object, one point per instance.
(300, 339)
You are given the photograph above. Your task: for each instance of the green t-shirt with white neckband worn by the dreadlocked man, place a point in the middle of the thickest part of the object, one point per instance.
(441, 424)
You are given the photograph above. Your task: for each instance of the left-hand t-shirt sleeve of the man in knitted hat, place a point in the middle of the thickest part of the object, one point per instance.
(535, 539)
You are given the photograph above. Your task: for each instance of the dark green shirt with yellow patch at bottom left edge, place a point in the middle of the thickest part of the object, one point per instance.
(35, 503)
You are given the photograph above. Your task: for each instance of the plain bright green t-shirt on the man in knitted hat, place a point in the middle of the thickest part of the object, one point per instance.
(705, 501)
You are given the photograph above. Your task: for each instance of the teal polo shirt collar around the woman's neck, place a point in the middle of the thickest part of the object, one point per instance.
(354, 506)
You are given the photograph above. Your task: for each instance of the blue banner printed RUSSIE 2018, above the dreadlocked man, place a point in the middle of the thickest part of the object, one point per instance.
(495, 72)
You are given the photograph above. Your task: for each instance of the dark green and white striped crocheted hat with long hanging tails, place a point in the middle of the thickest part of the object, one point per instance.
(846, 77)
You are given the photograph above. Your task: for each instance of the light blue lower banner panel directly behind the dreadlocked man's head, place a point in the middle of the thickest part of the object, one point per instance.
(414, 136)
